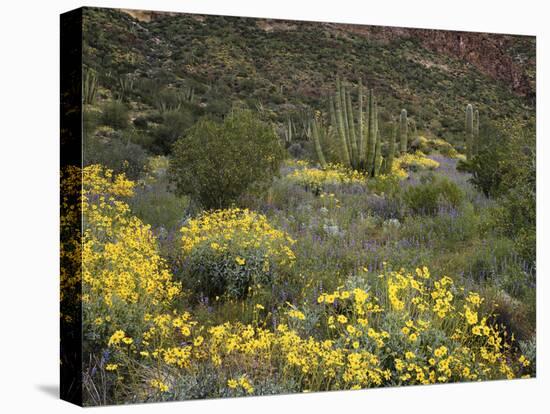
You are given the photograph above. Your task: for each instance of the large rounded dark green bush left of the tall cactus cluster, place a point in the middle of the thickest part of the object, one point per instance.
(215, 162)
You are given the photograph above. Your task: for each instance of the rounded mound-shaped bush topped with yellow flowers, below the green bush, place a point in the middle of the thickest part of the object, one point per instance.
(226, 252)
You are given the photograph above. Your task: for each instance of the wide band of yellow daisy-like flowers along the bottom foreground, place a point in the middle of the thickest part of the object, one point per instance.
(352, 349)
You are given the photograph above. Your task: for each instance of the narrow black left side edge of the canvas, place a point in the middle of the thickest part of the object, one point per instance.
(71, 155)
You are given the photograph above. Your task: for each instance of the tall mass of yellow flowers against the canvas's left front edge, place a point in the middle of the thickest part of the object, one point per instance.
(123, 275)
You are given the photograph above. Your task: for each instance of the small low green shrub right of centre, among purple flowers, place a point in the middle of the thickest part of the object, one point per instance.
(431, 194)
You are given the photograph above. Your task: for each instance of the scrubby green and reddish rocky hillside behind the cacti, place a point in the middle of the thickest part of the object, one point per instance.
(288, 68)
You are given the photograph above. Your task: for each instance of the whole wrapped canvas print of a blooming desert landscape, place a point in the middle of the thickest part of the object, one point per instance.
(253, 206)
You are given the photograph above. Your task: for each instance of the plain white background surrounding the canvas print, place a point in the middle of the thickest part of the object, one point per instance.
(29, 148)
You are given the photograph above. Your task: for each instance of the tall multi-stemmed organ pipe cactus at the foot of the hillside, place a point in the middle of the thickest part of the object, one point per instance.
(356, 131)
